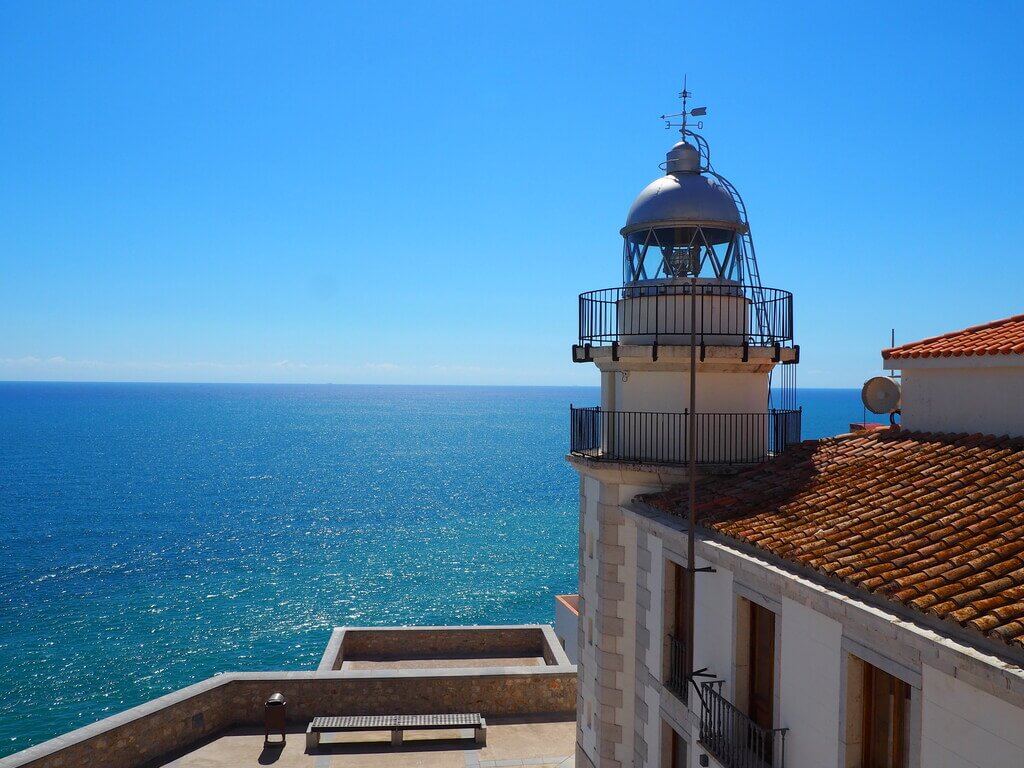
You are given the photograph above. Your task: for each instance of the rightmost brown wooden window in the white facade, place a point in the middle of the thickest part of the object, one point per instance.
(878, 709)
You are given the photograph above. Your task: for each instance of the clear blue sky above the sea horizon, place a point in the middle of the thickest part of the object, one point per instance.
(398, 193)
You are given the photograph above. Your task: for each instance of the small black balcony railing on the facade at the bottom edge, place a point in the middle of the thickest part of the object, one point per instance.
(734, 738)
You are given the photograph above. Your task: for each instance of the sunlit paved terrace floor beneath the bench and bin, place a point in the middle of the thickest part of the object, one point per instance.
(539, 745)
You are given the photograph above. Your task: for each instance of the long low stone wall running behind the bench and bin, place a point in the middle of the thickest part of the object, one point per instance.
(177, 721)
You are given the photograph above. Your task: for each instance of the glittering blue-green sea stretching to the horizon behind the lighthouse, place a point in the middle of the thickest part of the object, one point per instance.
(154, 535)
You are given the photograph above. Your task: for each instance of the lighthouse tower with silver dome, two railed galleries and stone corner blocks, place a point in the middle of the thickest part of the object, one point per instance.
(697, 377)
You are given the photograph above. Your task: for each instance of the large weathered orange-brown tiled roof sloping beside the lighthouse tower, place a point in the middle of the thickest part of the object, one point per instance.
(932, 522)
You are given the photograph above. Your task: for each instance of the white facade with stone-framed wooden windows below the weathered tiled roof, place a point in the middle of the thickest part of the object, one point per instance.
(966, 704)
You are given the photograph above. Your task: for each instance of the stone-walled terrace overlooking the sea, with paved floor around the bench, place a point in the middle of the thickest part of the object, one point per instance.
(531, 710)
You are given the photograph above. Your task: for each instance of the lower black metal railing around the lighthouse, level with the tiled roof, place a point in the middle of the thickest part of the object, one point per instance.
(648, 438)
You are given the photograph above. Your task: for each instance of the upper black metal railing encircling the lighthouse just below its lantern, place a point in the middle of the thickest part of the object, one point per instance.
(660, 314)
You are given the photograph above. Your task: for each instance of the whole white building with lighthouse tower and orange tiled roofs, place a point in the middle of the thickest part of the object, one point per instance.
(859, 602)
